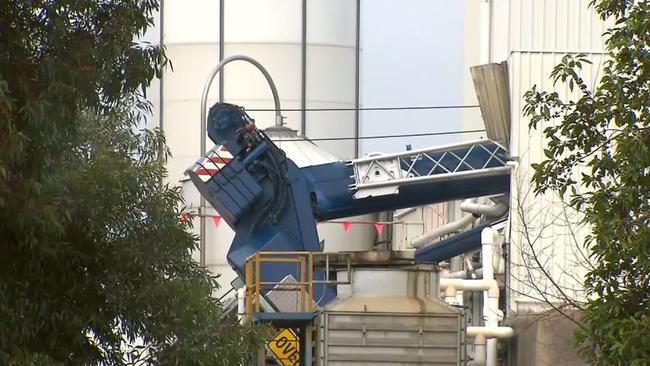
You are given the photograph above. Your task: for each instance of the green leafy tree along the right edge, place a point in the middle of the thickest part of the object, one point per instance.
(598, 155)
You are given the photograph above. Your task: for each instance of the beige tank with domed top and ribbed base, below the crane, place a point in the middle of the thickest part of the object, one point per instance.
(388, 316)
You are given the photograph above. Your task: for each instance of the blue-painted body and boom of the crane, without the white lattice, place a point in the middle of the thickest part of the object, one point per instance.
(271, 203)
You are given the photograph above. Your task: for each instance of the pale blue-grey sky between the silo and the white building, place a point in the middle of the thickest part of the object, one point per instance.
(412, 55)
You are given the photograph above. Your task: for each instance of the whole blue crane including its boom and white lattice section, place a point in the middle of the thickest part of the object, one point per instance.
(272, 204)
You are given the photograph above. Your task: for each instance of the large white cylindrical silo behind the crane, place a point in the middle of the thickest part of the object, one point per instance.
(310, 49)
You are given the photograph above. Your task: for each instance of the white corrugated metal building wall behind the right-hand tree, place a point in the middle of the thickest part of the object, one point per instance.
(533, 36)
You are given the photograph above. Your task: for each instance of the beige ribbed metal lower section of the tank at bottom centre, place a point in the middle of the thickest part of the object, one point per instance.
(391, 339)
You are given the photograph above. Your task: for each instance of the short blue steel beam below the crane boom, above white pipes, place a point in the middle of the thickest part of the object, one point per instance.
(456, 245)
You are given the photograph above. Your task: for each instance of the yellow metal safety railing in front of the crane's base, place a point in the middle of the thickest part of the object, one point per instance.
(255, 287)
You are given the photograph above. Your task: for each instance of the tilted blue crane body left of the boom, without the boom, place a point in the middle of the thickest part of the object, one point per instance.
(262, 195)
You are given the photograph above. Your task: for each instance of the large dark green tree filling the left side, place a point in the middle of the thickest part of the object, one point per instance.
(95, 267)
